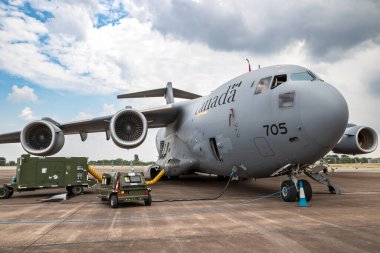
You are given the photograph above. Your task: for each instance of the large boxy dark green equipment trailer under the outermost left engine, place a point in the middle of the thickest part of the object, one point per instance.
(34, 173)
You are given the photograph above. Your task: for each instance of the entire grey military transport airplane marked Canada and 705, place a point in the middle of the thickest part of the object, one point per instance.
(273, 121)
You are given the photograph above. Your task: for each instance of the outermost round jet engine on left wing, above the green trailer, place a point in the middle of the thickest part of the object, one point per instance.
(42, 138)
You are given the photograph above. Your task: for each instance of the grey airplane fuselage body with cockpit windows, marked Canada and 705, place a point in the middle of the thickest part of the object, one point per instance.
(296, 122)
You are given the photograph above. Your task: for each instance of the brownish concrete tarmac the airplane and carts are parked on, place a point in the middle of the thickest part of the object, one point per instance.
(249, 217)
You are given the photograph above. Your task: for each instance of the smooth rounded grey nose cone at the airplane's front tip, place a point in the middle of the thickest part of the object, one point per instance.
(324, 114)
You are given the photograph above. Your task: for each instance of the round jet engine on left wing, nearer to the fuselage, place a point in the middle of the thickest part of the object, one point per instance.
(128, 128)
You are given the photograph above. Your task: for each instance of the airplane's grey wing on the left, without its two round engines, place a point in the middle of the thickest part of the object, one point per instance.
(156, 117)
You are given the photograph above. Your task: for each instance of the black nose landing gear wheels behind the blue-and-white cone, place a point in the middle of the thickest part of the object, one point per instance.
(290, 190)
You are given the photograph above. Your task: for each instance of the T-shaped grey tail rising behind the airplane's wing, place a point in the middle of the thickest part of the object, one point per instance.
(169, 93)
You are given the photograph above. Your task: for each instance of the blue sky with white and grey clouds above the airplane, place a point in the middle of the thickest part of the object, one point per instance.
(69, 59)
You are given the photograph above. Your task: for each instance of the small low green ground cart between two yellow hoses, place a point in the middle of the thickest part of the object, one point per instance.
(122, 187)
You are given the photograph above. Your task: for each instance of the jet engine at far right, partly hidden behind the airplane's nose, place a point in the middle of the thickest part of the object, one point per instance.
(357, 140)
